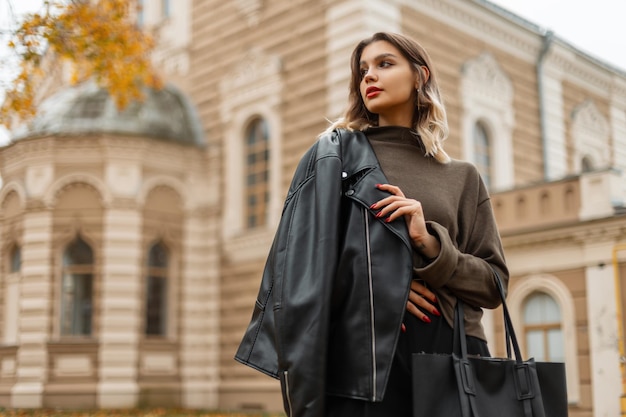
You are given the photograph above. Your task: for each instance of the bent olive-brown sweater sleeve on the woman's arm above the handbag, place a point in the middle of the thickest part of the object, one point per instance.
(467, 272)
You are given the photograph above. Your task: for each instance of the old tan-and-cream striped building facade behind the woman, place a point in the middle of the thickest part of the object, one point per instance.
(545, 124)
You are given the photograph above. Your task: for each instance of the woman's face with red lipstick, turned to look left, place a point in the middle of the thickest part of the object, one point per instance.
(388, 84)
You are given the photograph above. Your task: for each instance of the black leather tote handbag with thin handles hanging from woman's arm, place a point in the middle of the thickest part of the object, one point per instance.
(459, 385)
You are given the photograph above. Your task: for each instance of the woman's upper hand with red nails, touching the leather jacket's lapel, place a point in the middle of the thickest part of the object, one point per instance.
(397, 205)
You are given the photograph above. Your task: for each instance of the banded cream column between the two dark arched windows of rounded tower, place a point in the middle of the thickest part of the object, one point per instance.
(120, 315)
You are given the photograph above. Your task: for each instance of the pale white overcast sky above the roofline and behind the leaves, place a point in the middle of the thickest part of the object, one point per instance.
(596, 27)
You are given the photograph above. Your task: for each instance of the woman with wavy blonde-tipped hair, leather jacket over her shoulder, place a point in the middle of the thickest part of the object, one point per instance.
(381, 233)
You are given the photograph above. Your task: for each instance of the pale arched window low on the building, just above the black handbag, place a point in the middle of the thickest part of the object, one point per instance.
(542, 328)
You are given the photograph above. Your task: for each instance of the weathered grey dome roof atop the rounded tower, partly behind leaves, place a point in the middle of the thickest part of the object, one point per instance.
(165, 114)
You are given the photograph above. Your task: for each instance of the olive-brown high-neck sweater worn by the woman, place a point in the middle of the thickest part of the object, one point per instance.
(458, 212)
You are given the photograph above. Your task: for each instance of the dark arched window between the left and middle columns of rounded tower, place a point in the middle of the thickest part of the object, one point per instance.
(77, 289)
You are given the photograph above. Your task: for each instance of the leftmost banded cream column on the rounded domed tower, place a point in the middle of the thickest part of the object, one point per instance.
(34, 307)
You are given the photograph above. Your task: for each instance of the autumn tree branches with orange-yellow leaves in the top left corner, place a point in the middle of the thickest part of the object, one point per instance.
(98, 38)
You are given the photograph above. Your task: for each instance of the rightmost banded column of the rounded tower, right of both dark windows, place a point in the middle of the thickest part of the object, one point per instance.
(199, 321)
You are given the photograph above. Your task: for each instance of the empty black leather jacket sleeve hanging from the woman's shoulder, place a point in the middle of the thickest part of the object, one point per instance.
(306, 257)
